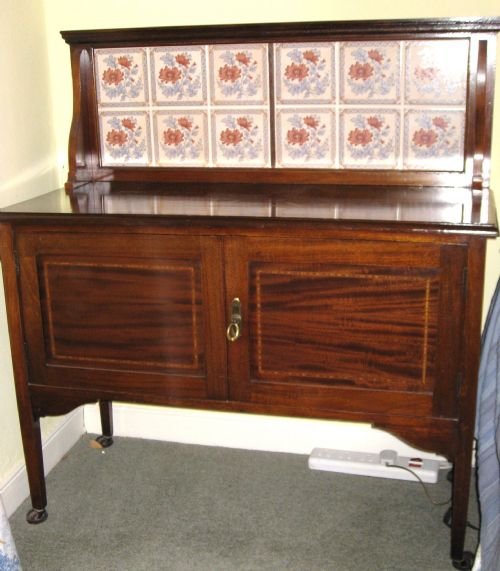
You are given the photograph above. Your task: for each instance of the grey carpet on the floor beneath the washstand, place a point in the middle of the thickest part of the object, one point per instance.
(145, 505)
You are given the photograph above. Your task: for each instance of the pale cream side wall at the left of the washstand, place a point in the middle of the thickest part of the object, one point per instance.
(27, 167)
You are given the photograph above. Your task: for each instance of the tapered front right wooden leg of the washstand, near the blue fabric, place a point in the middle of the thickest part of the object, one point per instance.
(460, 499)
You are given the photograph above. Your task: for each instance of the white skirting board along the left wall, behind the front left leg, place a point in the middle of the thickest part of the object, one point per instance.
(16, 490)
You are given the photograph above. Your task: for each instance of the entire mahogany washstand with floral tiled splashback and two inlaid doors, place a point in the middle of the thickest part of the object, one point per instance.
(261, 247)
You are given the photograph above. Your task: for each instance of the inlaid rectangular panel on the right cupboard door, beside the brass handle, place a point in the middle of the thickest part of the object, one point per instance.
(346, 328)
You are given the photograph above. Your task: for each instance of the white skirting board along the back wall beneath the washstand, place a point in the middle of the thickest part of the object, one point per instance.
(245, 431)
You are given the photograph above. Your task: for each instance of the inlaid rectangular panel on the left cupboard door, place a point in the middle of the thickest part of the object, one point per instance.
(96, 315)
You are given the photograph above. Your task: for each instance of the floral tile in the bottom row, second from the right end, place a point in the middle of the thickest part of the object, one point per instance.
(369, 138)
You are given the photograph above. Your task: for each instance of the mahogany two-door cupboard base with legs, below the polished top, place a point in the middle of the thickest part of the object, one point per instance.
(342, 321)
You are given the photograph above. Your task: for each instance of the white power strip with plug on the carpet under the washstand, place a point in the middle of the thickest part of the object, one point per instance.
(387, 464)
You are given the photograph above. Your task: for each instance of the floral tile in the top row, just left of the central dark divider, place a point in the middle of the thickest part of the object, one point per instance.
(239, 74)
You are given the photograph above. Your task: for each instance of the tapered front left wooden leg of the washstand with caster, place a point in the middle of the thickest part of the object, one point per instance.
(32, 444)
